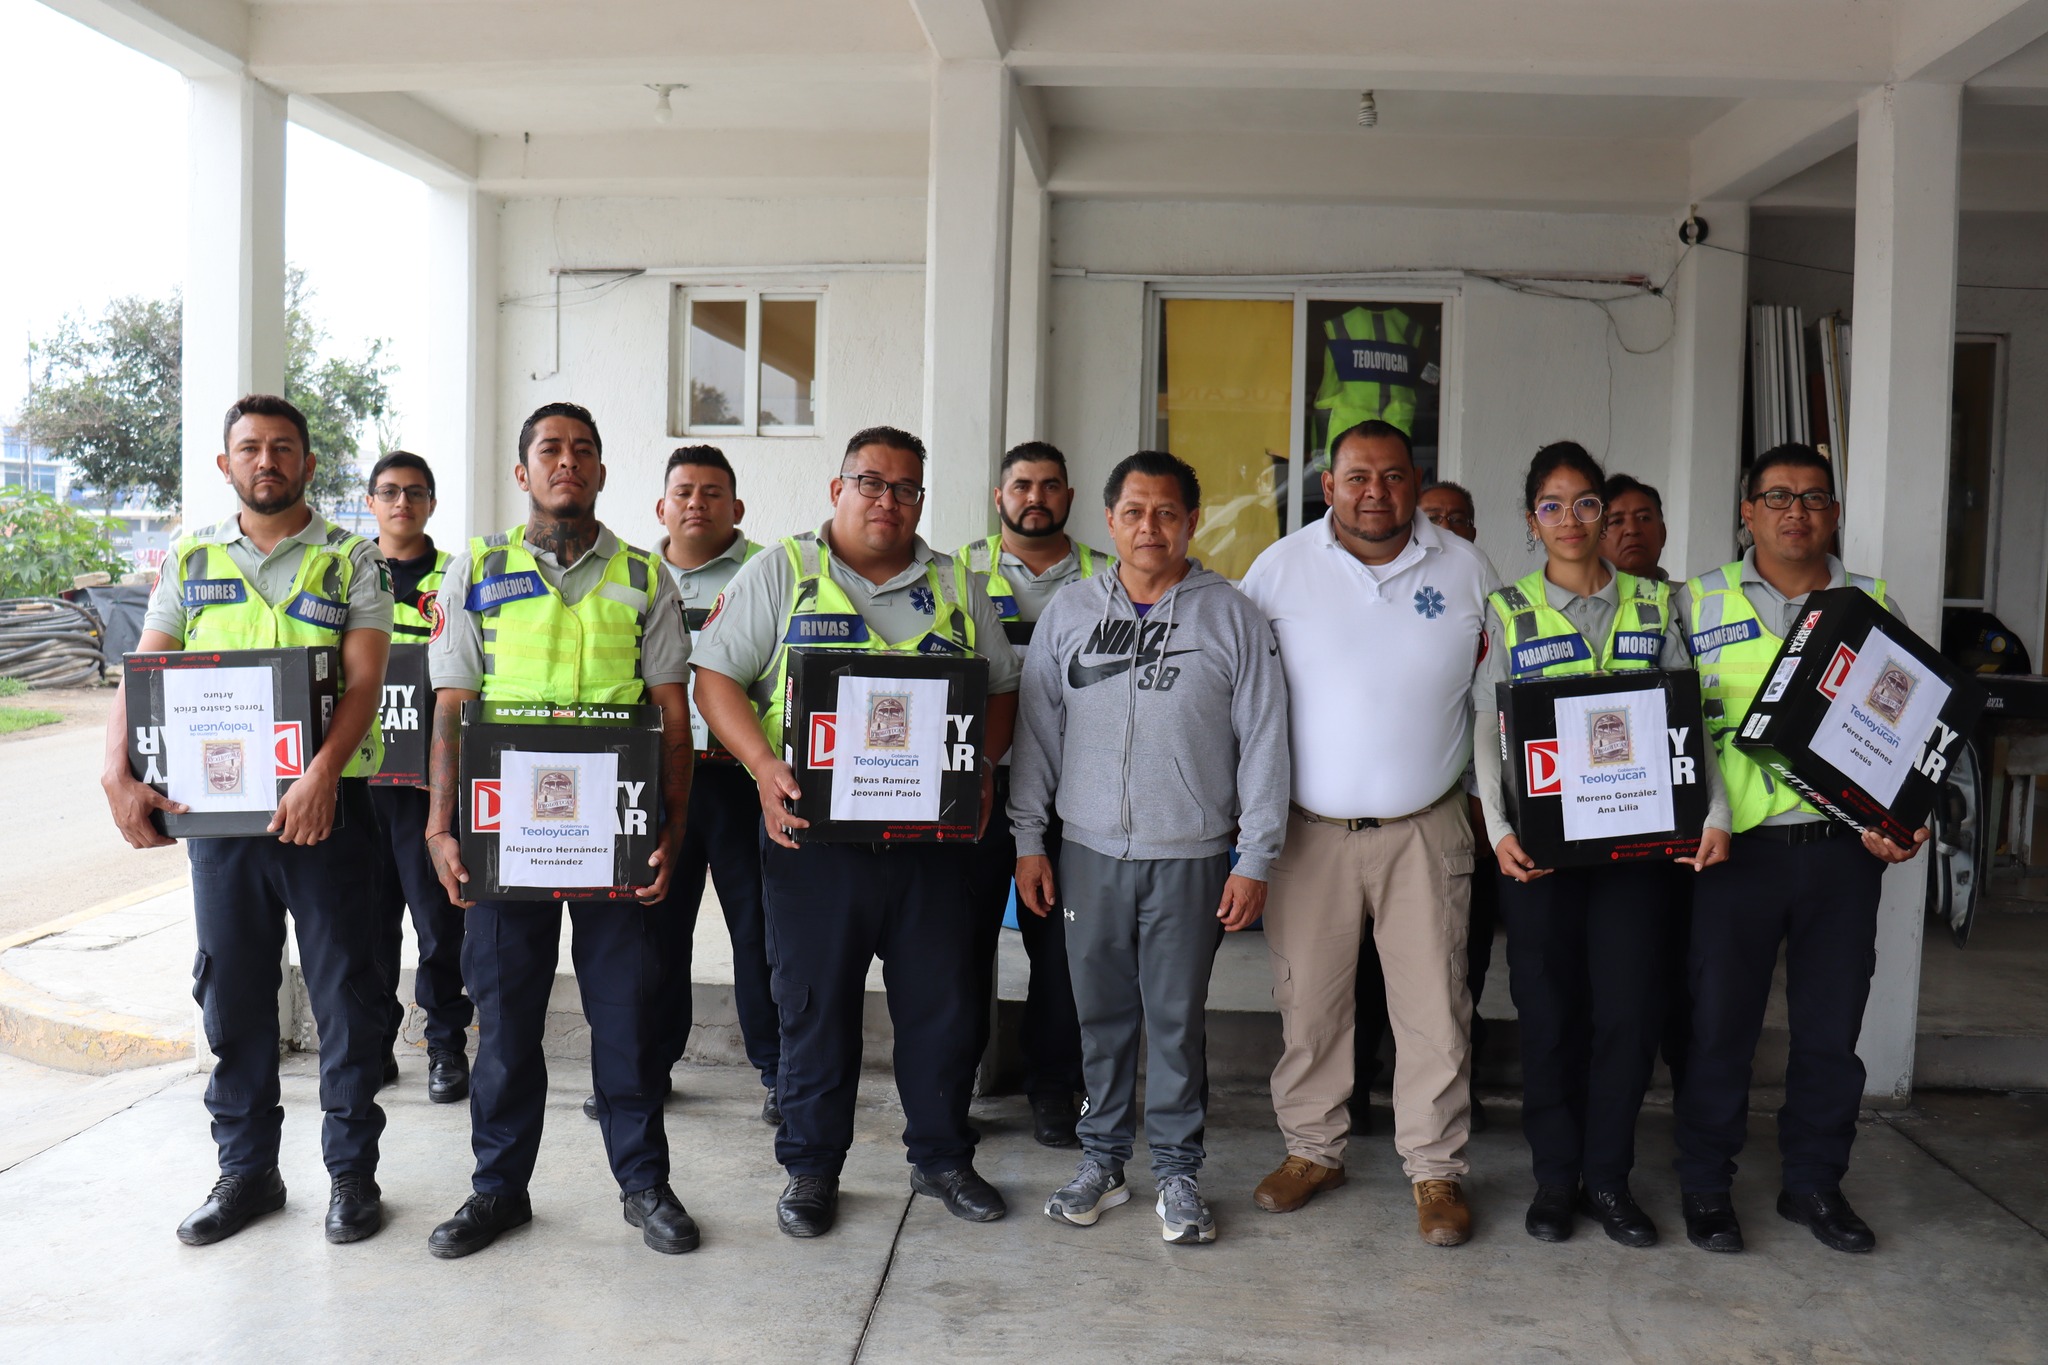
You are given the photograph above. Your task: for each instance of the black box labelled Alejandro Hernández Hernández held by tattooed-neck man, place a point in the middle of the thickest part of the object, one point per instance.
(560, 803)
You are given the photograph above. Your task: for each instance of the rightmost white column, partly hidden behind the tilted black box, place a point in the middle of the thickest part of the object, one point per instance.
(1900, 416)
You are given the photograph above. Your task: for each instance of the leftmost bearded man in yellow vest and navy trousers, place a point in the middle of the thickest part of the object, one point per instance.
(278, 576)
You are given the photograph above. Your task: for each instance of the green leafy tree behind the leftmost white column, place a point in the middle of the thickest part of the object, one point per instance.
(108, 398)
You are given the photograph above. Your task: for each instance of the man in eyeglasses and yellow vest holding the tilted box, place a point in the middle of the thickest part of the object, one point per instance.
(1793, 879)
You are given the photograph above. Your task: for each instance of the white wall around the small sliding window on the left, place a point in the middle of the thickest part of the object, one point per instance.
(615, 343)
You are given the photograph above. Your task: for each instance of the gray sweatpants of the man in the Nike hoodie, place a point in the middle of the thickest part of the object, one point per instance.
(1142, 940)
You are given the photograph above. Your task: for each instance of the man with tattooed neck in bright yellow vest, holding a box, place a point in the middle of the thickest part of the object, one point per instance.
(572, 615)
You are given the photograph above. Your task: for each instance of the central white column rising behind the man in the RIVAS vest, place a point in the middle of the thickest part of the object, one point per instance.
(968, 294)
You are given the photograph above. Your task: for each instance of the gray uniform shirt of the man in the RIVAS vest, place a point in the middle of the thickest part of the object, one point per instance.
(744, 640)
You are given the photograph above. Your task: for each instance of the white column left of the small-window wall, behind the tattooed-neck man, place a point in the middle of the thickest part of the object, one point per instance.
(462, 326)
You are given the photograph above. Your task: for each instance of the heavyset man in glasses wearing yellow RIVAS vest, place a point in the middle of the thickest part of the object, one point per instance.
(865, 580)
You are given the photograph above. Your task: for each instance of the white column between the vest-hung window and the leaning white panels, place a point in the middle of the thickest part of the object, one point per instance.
(1707, 396)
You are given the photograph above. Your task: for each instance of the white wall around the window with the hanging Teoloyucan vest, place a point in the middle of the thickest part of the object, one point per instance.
(1533, 369)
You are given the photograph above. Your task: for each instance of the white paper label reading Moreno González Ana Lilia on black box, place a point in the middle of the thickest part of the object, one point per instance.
(1613, 764)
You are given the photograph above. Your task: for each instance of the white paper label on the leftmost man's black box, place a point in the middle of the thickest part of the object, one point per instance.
(220, 740)
